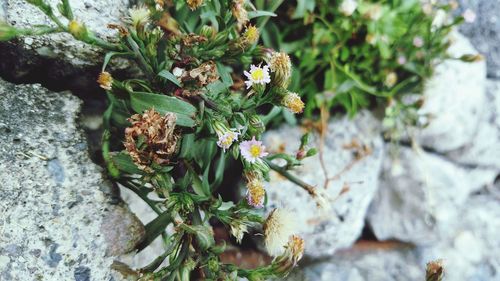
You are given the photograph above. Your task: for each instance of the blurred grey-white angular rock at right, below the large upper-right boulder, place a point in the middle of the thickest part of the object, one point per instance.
(421, 195)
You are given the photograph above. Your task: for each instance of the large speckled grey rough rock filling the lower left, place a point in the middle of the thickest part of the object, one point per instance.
(54, 199)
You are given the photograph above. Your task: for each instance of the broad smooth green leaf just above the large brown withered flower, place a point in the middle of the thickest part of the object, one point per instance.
(185, 112)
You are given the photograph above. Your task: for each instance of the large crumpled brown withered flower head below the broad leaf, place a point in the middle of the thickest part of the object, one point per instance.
(151, 138)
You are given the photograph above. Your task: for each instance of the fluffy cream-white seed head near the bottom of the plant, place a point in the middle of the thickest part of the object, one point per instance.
(279, 226)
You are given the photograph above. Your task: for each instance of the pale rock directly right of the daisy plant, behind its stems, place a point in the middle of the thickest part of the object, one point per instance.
(352, 155)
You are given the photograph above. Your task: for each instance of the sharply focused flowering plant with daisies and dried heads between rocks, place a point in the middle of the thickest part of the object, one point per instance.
(195, 106)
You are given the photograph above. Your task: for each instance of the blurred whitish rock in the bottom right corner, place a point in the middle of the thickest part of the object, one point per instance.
(472, 252)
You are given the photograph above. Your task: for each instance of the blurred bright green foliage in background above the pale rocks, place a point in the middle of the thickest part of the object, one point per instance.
(354, 54)
